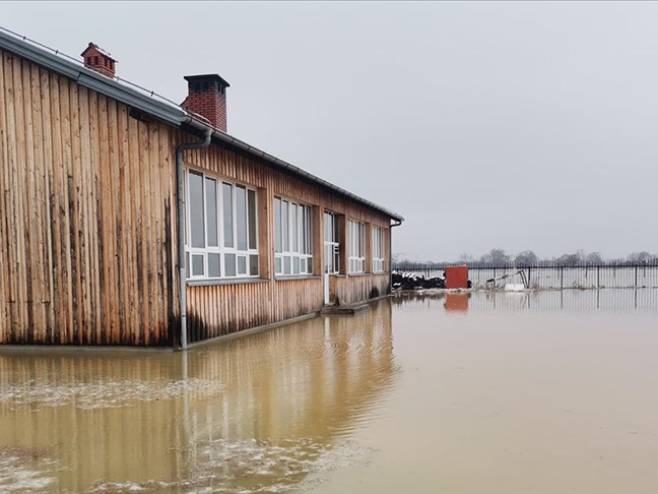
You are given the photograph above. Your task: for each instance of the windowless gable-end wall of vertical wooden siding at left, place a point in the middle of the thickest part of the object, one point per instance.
(86, 237)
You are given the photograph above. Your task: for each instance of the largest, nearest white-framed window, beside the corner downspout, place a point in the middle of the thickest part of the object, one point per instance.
(222, 231)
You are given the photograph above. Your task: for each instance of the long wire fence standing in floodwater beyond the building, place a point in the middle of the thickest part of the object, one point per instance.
(548, 276)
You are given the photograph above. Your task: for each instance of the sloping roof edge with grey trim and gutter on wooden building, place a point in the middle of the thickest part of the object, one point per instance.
(157, 106)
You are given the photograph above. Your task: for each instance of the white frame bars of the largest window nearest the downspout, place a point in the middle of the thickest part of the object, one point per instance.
(220, 249)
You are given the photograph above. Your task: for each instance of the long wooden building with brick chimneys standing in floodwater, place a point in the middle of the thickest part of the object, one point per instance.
(97, 180)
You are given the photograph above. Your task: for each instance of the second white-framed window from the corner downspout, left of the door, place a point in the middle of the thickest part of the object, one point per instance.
(293, 239)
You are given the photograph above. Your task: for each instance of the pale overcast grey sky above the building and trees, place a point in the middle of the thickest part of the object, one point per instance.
(512, 125)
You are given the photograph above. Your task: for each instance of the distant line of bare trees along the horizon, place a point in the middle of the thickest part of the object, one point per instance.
(527, 258)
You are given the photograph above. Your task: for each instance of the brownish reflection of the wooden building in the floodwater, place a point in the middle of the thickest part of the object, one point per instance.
(248, 414)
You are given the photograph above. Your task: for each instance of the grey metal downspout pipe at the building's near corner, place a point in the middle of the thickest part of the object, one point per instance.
(180, 194)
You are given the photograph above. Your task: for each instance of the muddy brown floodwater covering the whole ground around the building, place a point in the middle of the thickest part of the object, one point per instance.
(552, 392)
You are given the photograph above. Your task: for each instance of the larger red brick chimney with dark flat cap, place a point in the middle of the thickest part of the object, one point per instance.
(206, 96)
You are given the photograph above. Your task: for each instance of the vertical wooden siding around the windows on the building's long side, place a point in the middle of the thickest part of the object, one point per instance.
(223, 309)
